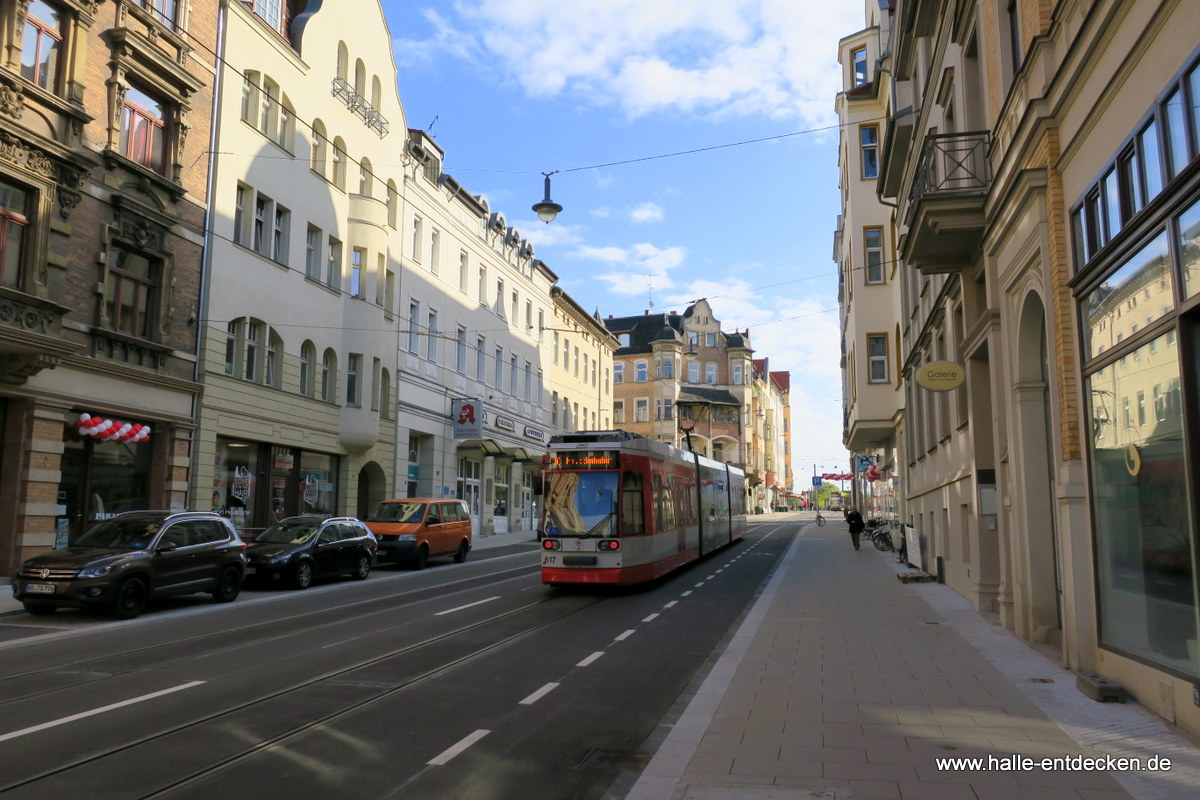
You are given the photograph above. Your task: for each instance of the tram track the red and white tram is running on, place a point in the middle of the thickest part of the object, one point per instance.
(373, 693)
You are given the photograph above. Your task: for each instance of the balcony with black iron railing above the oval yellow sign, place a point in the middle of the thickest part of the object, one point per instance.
(946, 206)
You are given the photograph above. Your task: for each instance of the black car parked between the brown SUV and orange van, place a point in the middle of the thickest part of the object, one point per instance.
(298, 550)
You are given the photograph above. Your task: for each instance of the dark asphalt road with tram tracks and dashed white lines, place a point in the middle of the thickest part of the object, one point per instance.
(460, 682)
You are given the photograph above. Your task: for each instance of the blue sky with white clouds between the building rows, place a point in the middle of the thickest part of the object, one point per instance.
(694, 147)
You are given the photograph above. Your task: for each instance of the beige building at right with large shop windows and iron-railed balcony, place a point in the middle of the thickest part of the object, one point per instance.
(1041, 164)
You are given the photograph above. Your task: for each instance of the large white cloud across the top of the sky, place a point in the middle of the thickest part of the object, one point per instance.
(735, 58)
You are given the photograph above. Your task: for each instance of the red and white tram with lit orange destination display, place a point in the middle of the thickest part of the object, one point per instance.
(620, 509)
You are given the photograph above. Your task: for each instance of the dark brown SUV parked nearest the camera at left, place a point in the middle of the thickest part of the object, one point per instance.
(127, 561)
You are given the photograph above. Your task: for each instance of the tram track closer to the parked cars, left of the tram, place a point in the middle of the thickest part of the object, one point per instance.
(99, 669)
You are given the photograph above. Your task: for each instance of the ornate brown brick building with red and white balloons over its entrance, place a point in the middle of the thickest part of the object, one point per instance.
(104, 133)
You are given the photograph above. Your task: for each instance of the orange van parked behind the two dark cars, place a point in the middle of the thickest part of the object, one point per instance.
(416, 530)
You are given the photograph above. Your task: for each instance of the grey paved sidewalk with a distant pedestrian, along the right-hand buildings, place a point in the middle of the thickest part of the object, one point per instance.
(845, 683)
